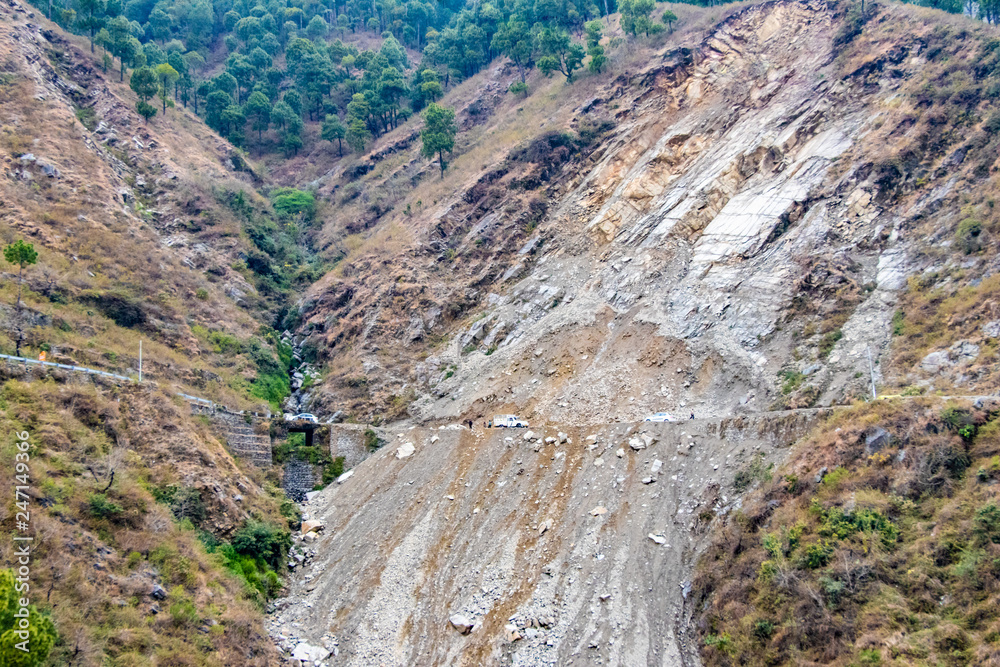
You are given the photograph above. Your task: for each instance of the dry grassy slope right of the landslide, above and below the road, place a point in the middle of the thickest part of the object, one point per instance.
(893, 557)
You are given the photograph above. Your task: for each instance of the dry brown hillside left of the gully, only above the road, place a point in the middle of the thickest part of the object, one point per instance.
(142, 231)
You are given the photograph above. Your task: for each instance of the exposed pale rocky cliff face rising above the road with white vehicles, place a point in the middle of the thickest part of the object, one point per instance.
(728, 217)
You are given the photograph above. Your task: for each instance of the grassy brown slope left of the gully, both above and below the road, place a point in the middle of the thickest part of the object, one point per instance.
(97, 561)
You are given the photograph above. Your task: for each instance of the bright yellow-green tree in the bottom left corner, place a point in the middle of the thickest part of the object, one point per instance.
(38, 637)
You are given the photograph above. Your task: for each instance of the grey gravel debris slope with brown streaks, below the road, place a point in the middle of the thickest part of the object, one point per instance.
(506, 546)
